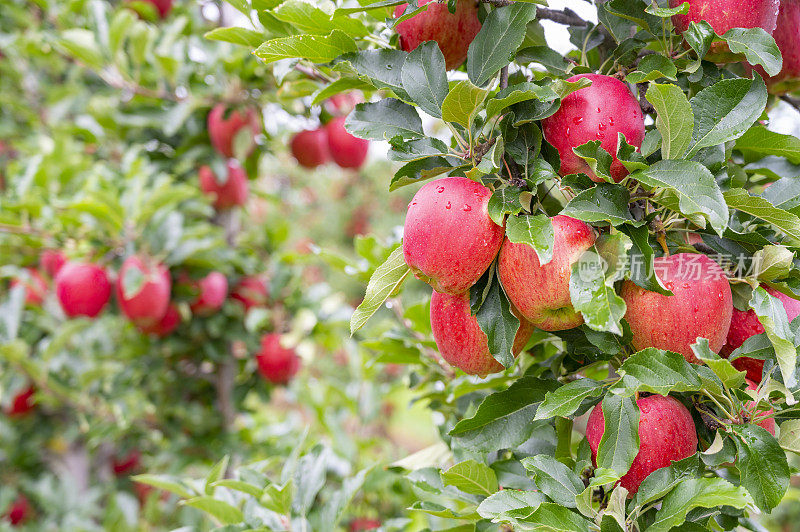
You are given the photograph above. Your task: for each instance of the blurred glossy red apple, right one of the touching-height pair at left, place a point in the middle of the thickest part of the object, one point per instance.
(147, 305)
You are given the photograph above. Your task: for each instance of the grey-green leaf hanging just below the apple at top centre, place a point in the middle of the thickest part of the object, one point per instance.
(424, 78)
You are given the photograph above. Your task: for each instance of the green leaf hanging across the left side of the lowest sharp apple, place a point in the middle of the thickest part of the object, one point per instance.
(620, 442)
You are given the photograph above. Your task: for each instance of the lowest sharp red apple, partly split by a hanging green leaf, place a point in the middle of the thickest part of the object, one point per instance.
(666, 433)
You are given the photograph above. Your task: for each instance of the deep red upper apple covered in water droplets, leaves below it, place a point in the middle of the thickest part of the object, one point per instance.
(597, 112)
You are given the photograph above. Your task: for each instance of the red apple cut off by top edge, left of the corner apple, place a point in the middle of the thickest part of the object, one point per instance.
(727, 14)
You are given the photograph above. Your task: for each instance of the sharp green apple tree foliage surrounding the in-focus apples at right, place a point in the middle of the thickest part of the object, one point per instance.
(512, 455)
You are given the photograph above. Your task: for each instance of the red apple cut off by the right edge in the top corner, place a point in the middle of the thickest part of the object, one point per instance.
(787, 37)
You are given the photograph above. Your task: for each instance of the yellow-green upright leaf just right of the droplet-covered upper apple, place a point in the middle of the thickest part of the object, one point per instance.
(675, 119)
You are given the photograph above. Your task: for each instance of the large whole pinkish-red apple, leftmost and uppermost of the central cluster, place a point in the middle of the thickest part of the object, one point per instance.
(449, 239)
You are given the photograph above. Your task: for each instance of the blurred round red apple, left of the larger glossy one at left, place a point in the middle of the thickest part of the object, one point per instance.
(82, 288)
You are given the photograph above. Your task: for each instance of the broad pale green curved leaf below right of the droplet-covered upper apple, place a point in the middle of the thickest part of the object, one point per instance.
(689, 188)
